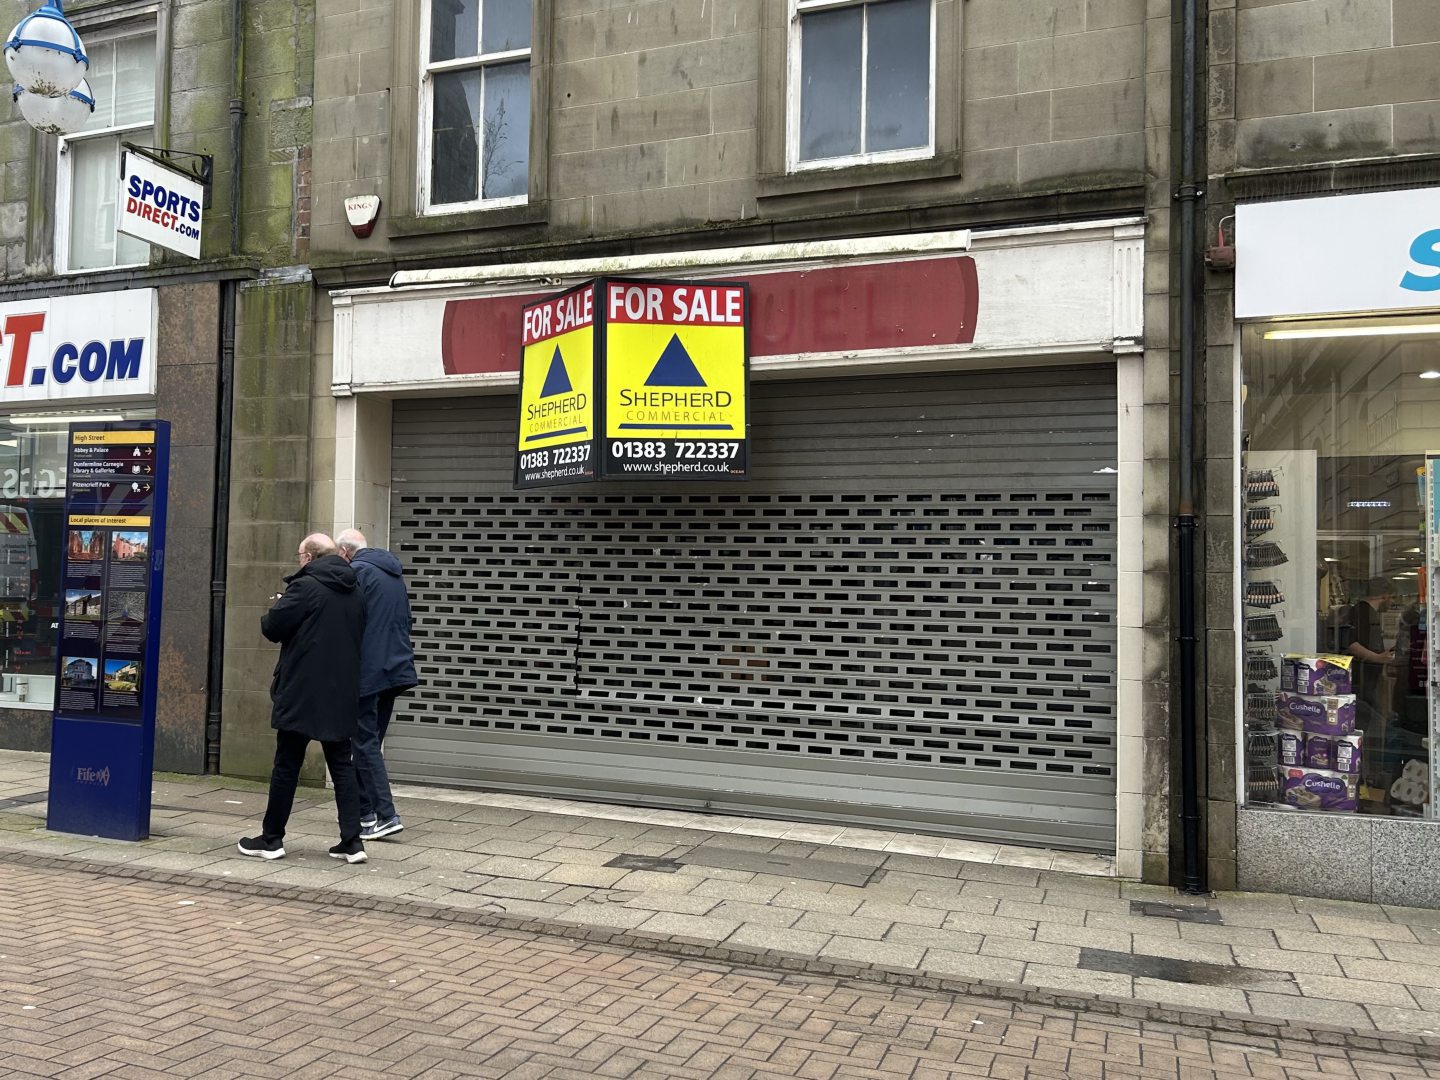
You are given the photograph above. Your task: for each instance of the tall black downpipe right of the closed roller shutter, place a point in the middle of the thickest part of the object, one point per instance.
(1189, 195)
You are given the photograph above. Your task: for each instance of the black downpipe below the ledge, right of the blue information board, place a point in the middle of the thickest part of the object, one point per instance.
(220, 552)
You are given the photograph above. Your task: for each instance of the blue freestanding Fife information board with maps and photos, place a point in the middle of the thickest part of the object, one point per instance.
(109, 637)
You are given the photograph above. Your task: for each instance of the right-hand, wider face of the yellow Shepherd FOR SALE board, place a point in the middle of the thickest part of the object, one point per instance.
(676, 374)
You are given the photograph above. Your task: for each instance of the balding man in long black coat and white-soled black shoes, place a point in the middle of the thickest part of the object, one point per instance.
(319, 623)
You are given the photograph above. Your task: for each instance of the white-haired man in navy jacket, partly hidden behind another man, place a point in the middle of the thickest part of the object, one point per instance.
(387, 672)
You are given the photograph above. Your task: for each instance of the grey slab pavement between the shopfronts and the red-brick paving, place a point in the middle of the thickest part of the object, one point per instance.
(796, 898)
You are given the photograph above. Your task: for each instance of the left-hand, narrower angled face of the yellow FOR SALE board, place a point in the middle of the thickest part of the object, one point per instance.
(558, 427)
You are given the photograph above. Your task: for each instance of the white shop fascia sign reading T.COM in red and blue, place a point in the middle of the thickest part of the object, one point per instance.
(78, 349)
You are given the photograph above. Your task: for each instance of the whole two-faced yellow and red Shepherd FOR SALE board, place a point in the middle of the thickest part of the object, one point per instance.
(636, 379)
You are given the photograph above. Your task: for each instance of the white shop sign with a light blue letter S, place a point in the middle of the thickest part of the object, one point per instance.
(1338, 256)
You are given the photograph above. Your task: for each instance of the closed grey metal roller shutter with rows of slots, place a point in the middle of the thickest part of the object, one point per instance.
(906, 620)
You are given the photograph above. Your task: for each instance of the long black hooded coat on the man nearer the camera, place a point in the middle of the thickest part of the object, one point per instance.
(319, 624)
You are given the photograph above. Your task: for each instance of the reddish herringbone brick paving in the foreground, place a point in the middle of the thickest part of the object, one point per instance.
(136, 980)
